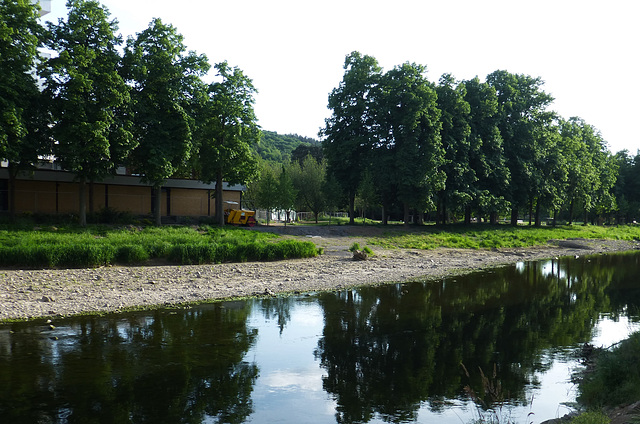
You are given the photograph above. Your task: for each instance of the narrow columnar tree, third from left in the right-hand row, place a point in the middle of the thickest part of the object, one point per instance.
(459, 189)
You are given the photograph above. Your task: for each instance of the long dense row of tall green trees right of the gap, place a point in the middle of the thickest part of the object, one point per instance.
(456, 149)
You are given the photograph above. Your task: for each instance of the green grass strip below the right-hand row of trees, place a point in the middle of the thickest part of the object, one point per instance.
(497, 236)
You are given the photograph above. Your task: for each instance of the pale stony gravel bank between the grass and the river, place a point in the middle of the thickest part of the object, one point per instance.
(28, 294)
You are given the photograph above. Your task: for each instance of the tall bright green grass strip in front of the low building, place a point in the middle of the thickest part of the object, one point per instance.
(63, 247)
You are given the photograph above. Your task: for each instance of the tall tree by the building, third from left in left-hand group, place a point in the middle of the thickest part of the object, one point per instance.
(166, 84)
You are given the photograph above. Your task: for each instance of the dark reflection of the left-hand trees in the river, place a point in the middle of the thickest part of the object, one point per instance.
(160, 367)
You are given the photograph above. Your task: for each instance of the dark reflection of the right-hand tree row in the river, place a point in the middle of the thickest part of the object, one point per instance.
(389, 349)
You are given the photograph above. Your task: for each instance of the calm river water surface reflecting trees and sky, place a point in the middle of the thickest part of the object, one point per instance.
(391, 353)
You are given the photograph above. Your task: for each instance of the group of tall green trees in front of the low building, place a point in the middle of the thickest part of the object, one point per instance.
(99, 103)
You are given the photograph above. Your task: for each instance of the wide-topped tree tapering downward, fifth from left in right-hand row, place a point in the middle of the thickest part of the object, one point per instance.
(522, 106)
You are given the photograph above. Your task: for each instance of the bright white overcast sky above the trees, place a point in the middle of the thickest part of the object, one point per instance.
(586, 51)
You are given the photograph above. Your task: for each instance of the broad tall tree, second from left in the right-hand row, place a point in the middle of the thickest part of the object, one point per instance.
(409, 138)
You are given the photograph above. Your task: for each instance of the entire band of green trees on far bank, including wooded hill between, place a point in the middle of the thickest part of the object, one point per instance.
(395, 141)
